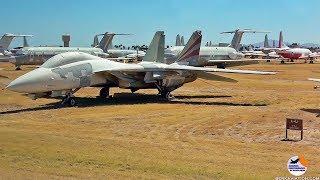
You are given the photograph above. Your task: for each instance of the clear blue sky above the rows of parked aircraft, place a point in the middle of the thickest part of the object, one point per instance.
(48, 19)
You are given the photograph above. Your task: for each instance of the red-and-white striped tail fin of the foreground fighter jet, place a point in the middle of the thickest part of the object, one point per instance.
(190, 53)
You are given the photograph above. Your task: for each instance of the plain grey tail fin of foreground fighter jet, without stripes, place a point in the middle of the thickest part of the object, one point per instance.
(155, 52)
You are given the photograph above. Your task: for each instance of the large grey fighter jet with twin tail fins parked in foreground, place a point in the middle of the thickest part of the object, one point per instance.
(66, 73)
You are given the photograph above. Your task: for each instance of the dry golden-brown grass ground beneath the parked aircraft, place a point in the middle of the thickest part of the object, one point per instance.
(211, 130)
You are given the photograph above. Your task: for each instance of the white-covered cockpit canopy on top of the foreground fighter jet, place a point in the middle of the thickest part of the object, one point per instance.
(67, 58)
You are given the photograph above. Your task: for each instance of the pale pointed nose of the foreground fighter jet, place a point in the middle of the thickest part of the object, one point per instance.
(31, 82)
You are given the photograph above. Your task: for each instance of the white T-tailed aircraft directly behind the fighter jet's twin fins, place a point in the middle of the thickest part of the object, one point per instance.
(219, 56)
